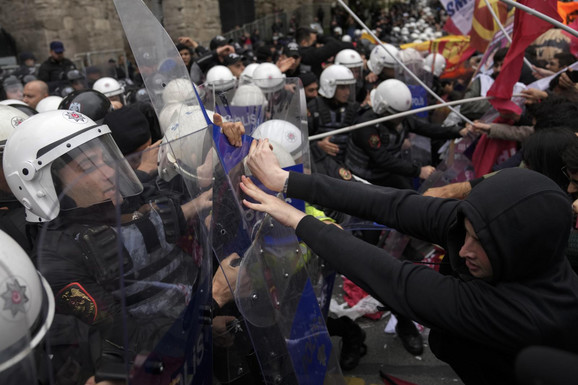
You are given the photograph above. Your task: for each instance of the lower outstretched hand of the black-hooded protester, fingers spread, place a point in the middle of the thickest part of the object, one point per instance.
(283, 212)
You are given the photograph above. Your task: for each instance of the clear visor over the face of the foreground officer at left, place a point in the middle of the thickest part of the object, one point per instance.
(92, 173)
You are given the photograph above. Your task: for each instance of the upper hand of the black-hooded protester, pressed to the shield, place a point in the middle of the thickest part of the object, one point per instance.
(264, 165)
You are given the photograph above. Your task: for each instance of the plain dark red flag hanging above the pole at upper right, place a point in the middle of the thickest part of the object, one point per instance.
(527, 28)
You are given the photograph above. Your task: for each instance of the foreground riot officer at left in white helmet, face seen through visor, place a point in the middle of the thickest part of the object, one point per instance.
(112, 264)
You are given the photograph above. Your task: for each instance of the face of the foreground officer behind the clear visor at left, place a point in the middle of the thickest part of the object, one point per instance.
(88, 179)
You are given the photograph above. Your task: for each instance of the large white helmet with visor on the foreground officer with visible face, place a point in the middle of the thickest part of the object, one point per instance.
(47, 150)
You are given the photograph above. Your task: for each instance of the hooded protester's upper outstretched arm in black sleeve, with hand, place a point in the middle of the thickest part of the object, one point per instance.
(405, 210)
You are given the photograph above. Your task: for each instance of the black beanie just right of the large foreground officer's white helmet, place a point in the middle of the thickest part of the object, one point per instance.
(129, 127)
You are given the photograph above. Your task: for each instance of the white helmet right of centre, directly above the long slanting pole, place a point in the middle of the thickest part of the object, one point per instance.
(390, 96)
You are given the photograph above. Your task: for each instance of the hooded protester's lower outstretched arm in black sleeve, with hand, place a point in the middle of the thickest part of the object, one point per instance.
(417, 292)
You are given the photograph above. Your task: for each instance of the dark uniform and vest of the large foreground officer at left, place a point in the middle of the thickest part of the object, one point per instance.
(79, 257)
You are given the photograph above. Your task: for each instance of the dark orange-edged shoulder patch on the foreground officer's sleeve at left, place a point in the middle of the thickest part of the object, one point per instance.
(74, 299)
